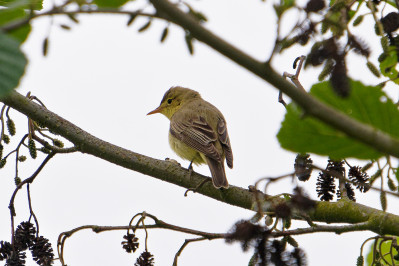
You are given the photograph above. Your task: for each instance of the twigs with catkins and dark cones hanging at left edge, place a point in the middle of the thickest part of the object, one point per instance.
(26, 235)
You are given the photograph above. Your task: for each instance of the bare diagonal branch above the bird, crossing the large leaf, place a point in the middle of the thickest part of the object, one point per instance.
(313, 107)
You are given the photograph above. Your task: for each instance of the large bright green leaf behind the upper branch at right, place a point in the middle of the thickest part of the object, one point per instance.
(366, 104)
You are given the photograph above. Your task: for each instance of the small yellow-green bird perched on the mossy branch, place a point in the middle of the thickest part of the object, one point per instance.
(198, 131)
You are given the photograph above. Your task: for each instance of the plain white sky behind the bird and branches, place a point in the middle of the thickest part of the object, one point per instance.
(105, 77)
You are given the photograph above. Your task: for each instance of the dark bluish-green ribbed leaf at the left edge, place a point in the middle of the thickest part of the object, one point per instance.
(12, 64)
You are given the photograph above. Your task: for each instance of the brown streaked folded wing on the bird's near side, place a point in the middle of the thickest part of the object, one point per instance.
(197, 134)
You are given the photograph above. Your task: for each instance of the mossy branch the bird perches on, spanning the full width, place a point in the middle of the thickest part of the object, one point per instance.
(343, 211)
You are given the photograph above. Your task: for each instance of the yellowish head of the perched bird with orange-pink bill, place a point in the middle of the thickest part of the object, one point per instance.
(174, 99)
